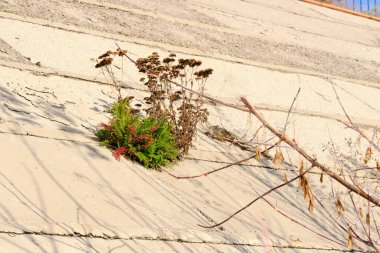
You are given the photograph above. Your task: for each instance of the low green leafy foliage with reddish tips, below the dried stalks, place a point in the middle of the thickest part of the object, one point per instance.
(148, 141)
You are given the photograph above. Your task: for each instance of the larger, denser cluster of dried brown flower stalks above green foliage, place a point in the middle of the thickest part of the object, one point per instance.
(183, 109)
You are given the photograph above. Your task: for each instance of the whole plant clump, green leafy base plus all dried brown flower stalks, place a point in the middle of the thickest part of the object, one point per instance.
(164, 126)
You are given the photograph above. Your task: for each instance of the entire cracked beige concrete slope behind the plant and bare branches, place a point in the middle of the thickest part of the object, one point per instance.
(61, 192)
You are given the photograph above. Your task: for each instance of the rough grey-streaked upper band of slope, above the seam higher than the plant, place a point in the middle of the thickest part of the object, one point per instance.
(218, 28)
